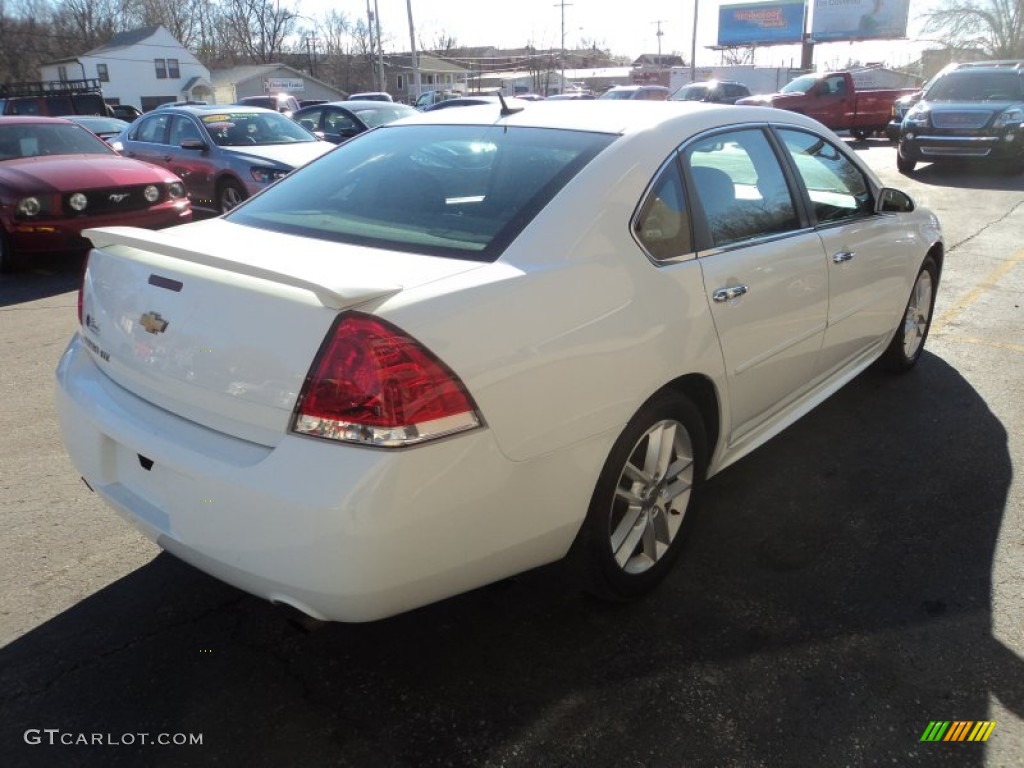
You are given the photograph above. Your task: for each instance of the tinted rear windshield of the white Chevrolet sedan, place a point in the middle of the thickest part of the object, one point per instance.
(462, 192)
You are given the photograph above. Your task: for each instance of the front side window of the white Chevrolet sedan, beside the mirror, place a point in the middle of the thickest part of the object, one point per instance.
(839, 191)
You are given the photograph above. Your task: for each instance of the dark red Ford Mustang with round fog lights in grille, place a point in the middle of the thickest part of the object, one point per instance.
(57, 179)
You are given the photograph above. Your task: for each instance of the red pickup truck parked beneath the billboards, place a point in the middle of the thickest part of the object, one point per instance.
(833, 99)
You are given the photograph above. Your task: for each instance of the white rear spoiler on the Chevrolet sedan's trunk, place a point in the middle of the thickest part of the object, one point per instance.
(155, 242)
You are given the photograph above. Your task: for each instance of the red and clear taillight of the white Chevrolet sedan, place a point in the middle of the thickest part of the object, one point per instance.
(373, 385)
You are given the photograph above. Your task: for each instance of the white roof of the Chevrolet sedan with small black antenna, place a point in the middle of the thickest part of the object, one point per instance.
(610, 116)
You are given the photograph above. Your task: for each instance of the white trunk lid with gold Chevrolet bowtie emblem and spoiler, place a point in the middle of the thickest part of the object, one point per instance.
(220, 323)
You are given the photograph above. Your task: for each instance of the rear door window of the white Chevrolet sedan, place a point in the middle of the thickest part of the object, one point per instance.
(741, 188)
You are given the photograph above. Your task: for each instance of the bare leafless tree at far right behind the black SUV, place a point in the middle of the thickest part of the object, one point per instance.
(997, 27)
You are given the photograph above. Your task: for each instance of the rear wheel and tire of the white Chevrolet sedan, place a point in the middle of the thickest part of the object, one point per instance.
(626, 548)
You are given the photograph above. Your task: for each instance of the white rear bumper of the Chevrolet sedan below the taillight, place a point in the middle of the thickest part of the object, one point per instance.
(342, 533)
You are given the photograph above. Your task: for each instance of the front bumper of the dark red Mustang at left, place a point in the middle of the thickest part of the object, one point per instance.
(66, 235)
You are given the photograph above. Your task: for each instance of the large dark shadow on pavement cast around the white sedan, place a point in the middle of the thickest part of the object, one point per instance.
(834, 600)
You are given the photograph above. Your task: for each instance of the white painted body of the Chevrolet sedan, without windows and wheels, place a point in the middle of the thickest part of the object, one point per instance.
(560, 343)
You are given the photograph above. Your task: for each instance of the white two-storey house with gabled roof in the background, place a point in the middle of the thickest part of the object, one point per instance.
(144, 68)
